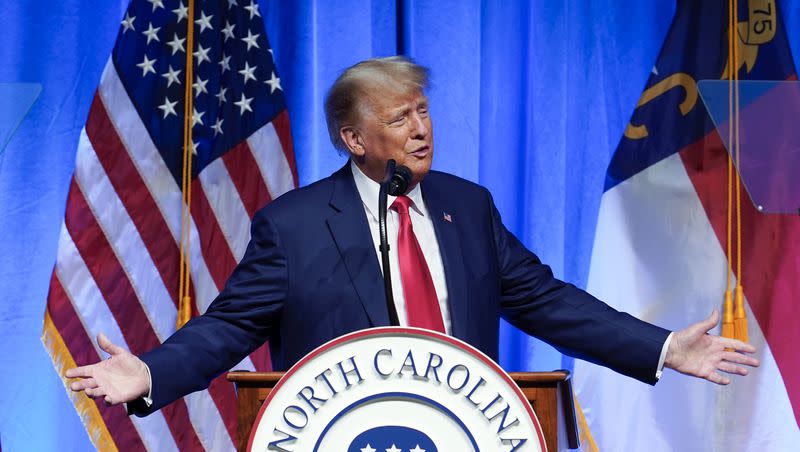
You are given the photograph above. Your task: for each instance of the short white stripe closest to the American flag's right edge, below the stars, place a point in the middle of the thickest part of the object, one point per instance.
(268, 152)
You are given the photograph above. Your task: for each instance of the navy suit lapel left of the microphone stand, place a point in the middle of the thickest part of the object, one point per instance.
(350, 230)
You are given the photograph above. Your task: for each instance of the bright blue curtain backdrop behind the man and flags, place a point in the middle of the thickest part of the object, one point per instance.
(529, 98)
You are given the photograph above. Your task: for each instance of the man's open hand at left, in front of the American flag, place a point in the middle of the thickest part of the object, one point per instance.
(121, 378)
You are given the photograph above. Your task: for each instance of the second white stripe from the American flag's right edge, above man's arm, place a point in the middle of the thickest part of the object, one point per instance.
(224, 199)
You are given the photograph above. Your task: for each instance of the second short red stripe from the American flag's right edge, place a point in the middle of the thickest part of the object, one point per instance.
(243, 169)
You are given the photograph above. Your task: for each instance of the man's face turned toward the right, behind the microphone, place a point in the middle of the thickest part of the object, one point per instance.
(395, 126)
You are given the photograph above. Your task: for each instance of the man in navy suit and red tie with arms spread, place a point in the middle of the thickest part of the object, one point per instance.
(311, 272)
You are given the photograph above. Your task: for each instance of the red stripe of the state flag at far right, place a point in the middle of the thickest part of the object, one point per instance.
(770, 261)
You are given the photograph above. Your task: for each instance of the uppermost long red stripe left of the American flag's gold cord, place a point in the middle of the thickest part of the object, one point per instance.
(134, 194)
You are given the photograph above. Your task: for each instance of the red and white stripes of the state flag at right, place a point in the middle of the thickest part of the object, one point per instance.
(659, 254)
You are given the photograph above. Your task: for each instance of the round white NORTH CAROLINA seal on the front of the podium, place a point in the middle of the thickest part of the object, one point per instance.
(396, 389)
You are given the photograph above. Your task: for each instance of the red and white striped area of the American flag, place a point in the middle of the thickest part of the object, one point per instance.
(117, 265)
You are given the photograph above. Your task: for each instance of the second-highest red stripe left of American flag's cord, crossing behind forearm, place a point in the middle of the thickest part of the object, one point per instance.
(113, 283)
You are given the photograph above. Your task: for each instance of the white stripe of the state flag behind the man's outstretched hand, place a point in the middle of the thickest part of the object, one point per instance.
(657, 257)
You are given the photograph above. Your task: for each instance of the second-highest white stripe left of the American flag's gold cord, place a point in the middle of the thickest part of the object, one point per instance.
(124, 239)
